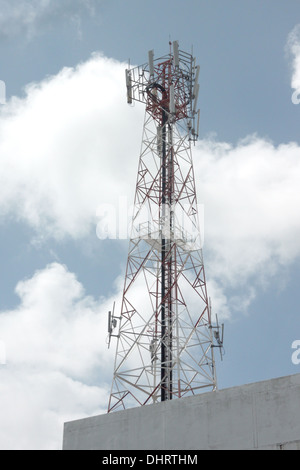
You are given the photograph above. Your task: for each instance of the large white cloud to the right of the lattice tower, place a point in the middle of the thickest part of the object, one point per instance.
(252, 202)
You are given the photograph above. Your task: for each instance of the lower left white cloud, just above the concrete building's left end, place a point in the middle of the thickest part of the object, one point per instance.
(58, 366)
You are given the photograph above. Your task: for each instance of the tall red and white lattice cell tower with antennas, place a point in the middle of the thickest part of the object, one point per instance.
(165, 336)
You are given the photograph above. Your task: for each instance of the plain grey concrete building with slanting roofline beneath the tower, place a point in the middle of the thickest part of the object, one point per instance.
(263, 415)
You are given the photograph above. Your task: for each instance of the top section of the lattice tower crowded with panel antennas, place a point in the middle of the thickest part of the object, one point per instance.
(169, 87)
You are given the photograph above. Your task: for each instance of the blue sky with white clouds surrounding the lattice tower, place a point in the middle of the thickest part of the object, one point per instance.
(69, 148)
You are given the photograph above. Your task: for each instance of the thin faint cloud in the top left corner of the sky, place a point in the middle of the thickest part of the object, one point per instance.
(26, 16)
